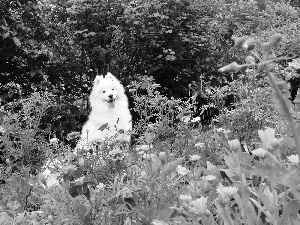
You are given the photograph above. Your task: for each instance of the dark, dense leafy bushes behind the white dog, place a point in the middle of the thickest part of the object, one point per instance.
(60, 46)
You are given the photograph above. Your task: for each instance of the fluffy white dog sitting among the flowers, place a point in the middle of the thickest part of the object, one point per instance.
(110, 113)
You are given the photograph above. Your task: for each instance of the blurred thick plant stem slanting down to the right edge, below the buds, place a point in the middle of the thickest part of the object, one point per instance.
(286, 109)
